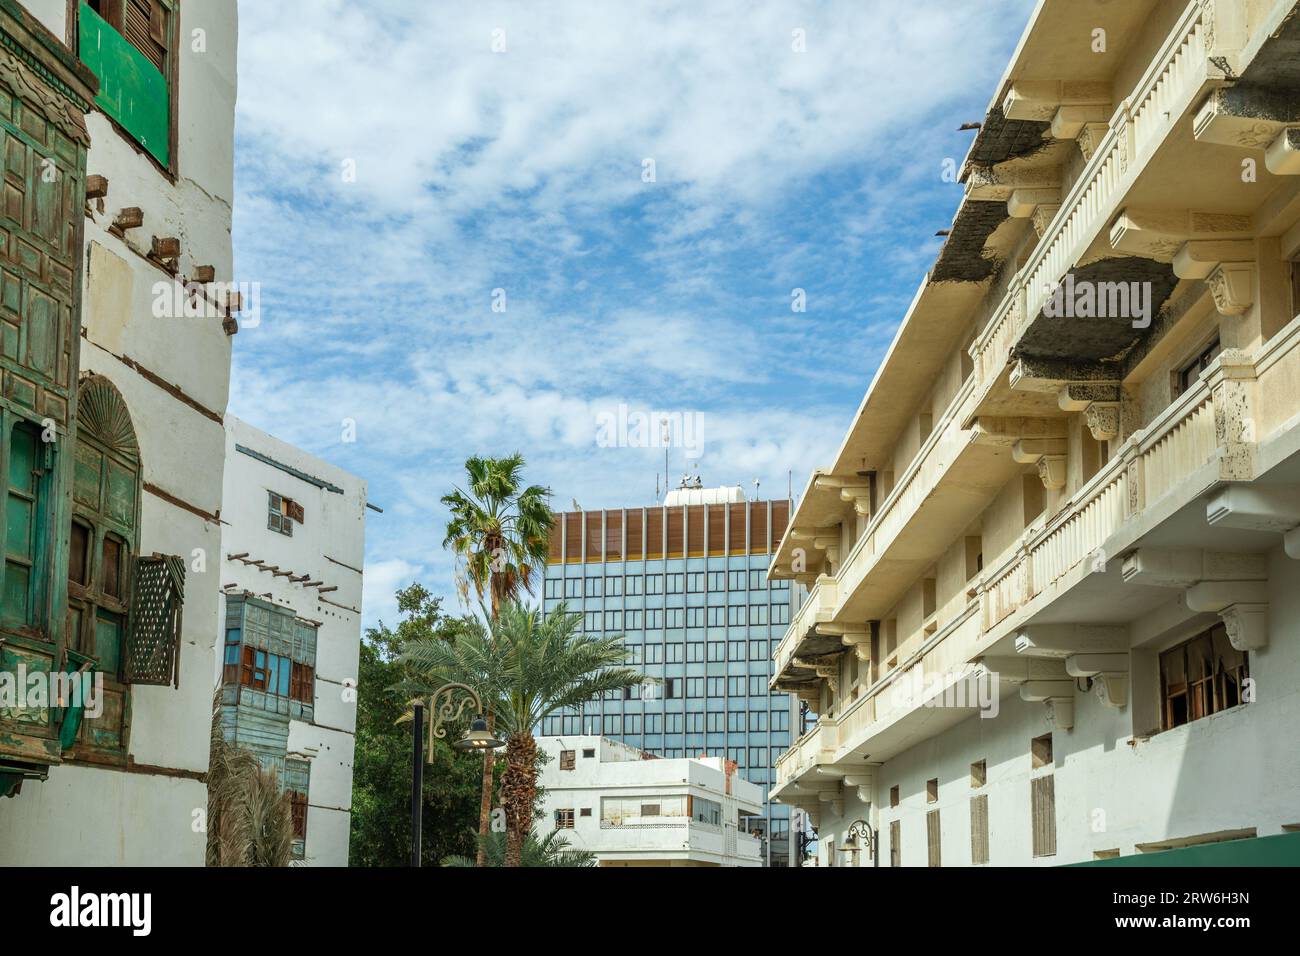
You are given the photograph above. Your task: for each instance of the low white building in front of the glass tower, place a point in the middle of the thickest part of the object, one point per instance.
(632, 810)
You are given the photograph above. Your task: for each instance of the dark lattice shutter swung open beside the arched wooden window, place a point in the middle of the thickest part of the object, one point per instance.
(154, 641)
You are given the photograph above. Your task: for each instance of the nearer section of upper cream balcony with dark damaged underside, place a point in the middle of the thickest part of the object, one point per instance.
(1208, 88)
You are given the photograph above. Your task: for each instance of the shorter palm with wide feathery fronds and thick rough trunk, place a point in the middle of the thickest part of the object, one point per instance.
(539, 667)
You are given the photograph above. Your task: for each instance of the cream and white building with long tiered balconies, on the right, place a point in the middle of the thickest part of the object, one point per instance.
(1051, 578)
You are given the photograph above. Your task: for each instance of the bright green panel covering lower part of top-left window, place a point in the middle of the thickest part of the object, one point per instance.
(132, 90)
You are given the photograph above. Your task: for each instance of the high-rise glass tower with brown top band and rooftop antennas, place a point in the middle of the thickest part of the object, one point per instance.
(686, 585)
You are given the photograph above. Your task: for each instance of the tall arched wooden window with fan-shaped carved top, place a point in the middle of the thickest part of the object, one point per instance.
(107, 488)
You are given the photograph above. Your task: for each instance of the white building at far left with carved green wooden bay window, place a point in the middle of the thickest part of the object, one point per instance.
(119, 137)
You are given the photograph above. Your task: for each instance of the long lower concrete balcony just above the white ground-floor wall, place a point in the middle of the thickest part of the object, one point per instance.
(1227, 453)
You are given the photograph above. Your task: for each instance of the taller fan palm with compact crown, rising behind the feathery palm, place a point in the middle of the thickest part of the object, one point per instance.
(500, 534)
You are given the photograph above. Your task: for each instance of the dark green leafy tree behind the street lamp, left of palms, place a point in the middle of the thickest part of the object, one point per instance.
(382, 784)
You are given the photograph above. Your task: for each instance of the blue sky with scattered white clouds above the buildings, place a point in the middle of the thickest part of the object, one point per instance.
(483, 228)
